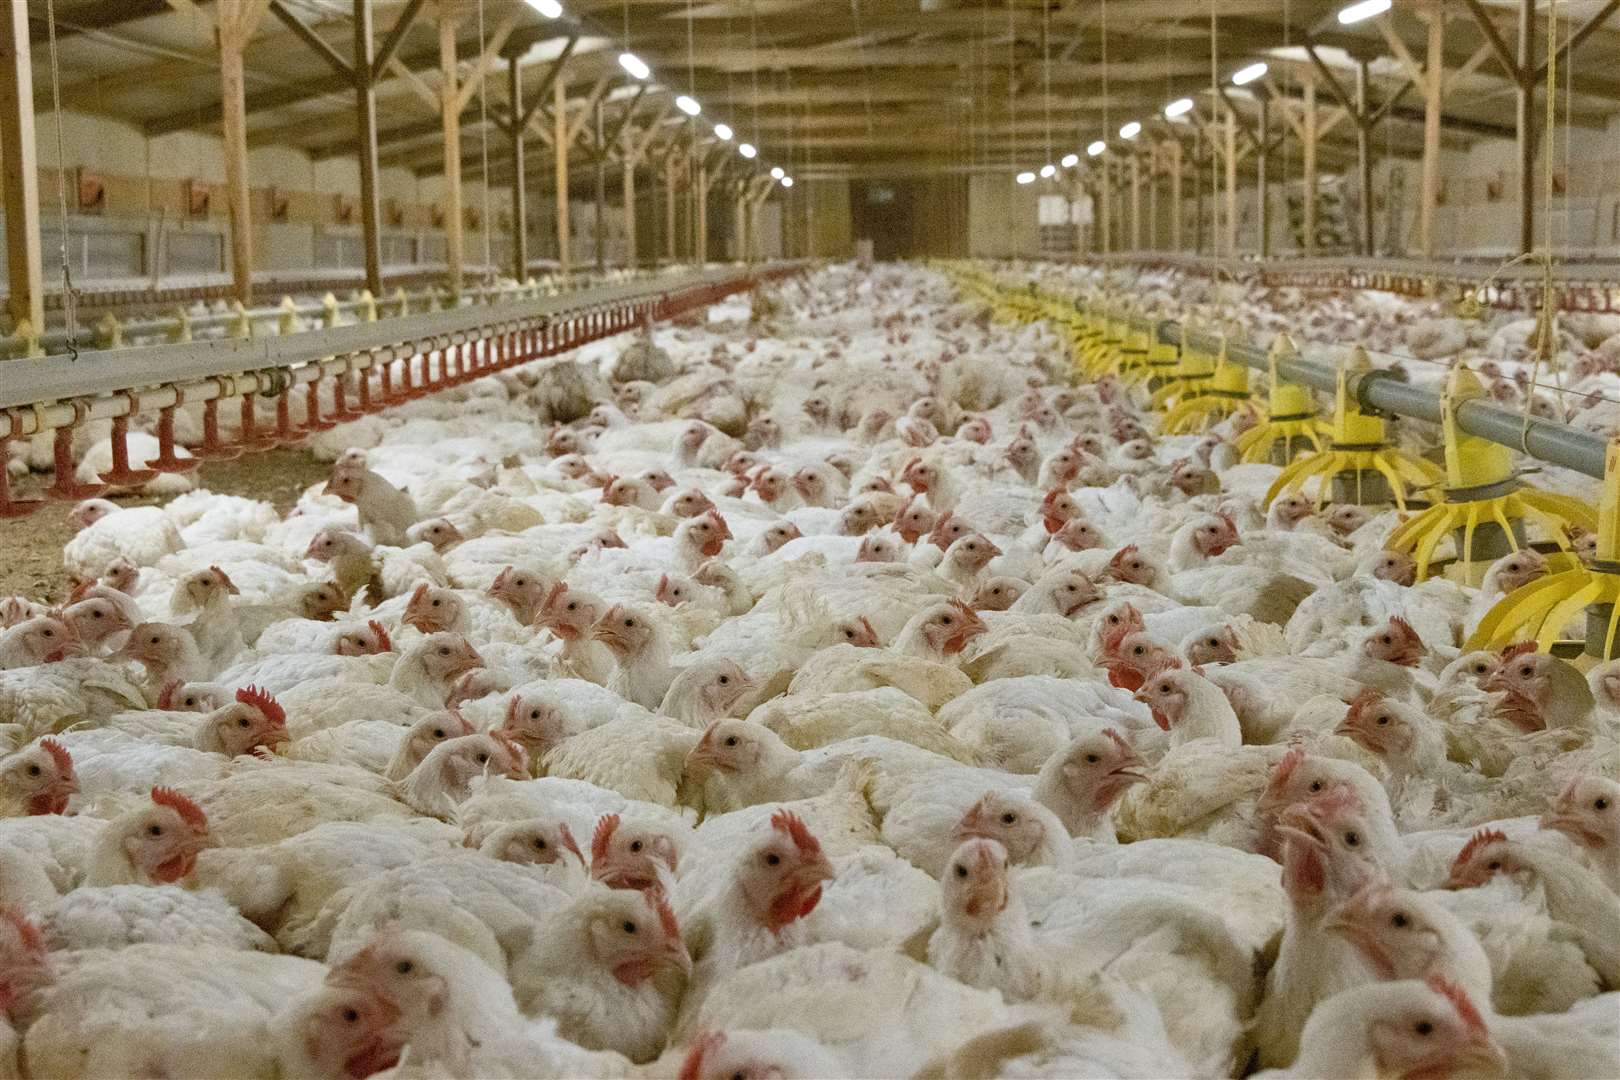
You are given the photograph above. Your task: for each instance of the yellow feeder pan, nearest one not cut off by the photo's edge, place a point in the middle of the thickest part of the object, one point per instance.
(1481, 490)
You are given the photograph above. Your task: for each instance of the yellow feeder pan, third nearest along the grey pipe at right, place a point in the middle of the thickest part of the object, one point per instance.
(1358, 444)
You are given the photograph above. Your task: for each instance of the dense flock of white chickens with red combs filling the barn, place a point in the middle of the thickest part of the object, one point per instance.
(833, 692)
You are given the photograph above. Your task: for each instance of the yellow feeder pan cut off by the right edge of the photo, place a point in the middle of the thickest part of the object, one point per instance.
(1543, 610)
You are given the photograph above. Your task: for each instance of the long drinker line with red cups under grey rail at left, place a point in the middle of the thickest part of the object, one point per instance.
(409, 357)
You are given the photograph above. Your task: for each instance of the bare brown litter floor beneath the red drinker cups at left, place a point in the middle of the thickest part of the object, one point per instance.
(32, 548)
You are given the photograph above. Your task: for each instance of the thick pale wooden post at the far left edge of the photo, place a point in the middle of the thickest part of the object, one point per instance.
(27, 302)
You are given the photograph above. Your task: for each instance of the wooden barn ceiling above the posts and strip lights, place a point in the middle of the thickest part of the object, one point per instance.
(821, 87)
